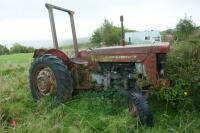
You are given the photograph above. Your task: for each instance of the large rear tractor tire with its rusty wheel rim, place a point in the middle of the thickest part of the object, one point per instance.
(49, 76)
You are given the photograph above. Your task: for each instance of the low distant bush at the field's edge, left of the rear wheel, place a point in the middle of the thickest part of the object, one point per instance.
(18, 48)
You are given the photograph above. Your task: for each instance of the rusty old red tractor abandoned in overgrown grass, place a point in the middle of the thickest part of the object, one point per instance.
(53, 73)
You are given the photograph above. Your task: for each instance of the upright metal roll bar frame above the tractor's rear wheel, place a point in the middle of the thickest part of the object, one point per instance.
(53, 28)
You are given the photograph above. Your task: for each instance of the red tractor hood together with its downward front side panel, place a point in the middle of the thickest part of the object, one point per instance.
(145, 54)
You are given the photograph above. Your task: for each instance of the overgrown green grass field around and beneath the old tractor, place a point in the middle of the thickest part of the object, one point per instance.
(86, 112)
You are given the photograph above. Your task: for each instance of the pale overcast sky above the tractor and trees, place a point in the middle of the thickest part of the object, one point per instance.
(22, 20)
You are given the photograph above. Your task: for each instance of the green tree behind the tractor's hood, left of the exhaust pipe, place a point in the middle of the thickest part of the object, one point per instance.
(107, 34)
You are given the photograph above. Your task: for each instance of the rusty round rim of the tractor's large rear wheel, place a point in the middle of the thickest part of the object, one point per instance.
(46, 82)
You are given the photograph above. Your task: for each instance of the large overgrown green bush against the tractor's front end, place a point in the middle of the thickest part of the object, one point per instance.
(182, 68)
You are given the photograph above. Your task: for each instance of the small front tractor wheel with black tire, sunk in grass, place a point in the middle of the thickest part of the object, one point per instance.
(138, 107)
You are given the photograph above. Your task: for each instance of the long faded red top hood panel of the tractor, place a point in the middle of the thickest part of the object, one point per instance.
(127, 52)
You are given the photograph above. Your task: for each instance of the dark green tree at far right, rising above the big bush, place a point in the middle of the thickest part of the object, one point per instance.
(184, 28)
